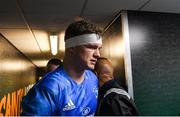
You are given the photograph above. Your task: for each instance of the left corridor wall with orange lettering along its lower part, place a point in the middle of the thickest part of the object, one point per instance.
(17, 76)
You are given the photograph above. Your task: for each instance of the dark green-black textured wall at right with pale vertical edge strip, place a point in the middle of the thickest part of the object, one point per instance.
(154, 54)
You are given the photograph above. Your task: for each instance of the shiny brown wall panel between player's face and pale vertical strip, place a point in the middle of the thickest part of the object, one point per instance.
(113, 48)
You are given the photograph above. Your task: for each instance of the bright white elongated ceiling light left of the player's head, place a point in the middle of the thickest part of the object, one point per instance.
(54, 44)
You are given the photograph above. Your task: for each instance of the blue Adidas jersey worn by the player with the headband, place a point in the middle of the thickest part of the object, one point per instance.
(58, 94)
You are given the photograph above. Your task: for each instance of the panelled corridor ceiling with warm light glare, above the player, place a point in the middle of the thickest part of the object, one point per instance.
(27, 24)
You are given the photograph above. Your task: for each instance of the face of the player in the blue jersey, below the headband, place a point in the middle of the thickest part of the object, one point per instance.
(88, 54)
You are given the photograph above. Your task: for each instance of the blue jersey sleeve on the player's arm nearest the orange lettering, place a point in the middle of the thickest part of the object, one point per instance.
(38, 101)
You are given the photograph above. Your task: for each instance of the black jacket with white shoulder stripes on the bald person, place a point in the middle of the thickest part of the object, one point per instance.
(114, 100)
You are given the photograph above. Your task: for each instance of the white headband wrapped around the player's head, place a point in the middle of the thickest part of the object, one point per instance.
(83, 40)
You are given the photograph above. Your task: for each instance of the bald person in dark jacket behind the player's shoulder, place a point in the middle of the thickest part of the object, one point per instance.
(113, 99)
